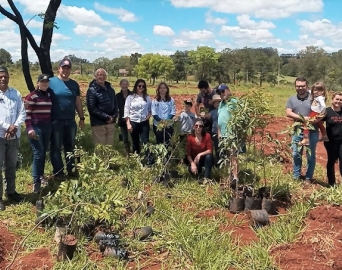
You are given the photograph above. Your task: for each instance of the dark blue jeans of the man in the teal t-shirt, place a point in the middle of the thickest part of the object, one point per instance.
(63, 135)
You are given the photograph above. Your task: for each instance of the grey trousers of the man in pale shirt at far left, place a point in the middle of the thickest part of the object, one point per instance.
(8, 158)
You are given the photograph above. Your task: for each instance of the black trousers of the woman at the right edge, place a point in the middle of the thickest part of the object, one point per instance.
(334, 152)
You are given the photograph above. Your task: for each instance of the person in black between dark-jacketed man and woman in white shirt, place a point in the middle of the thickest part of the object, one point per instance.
(121, 99)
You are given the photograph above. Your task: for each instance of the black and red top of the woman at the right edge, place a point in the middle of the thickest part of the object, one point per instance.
(333, 124)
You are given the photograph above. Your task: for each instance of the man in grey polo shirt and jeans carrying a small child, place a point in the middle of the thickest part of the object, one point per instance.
(300, 104)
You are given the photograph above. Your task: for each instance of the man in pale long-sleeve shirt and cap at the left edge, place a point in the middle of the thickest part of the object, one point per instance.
(12, 116)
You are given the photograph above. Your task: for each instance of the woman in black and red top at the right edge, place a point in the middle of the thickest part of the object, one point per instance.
(333, 147)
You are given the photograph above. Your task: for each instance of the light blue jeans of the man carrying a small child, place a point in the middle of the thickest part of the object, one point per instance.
(311, 157)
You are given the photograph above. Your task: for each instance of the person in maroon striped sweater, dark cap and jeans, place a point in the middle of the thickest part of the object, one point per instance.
(38, 126)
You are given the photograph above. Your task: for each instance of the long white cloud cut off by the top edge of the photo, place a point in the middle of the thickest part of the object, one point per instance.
(269, 9)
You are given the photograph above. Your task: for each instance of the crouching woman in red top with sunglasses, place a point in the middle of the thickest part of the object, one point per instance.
(199, 150)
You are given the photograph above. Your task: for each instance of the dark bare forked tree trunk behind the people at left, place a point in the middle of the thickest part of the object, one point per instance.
(43, 50)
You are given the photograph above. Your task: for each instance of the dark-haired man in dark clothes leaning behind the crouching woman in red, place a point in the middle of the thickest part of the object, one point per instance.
(205, 97)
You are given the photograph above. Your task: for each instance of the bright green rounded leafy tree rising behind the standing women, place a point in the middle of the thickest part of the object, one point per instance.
(153, 66)
